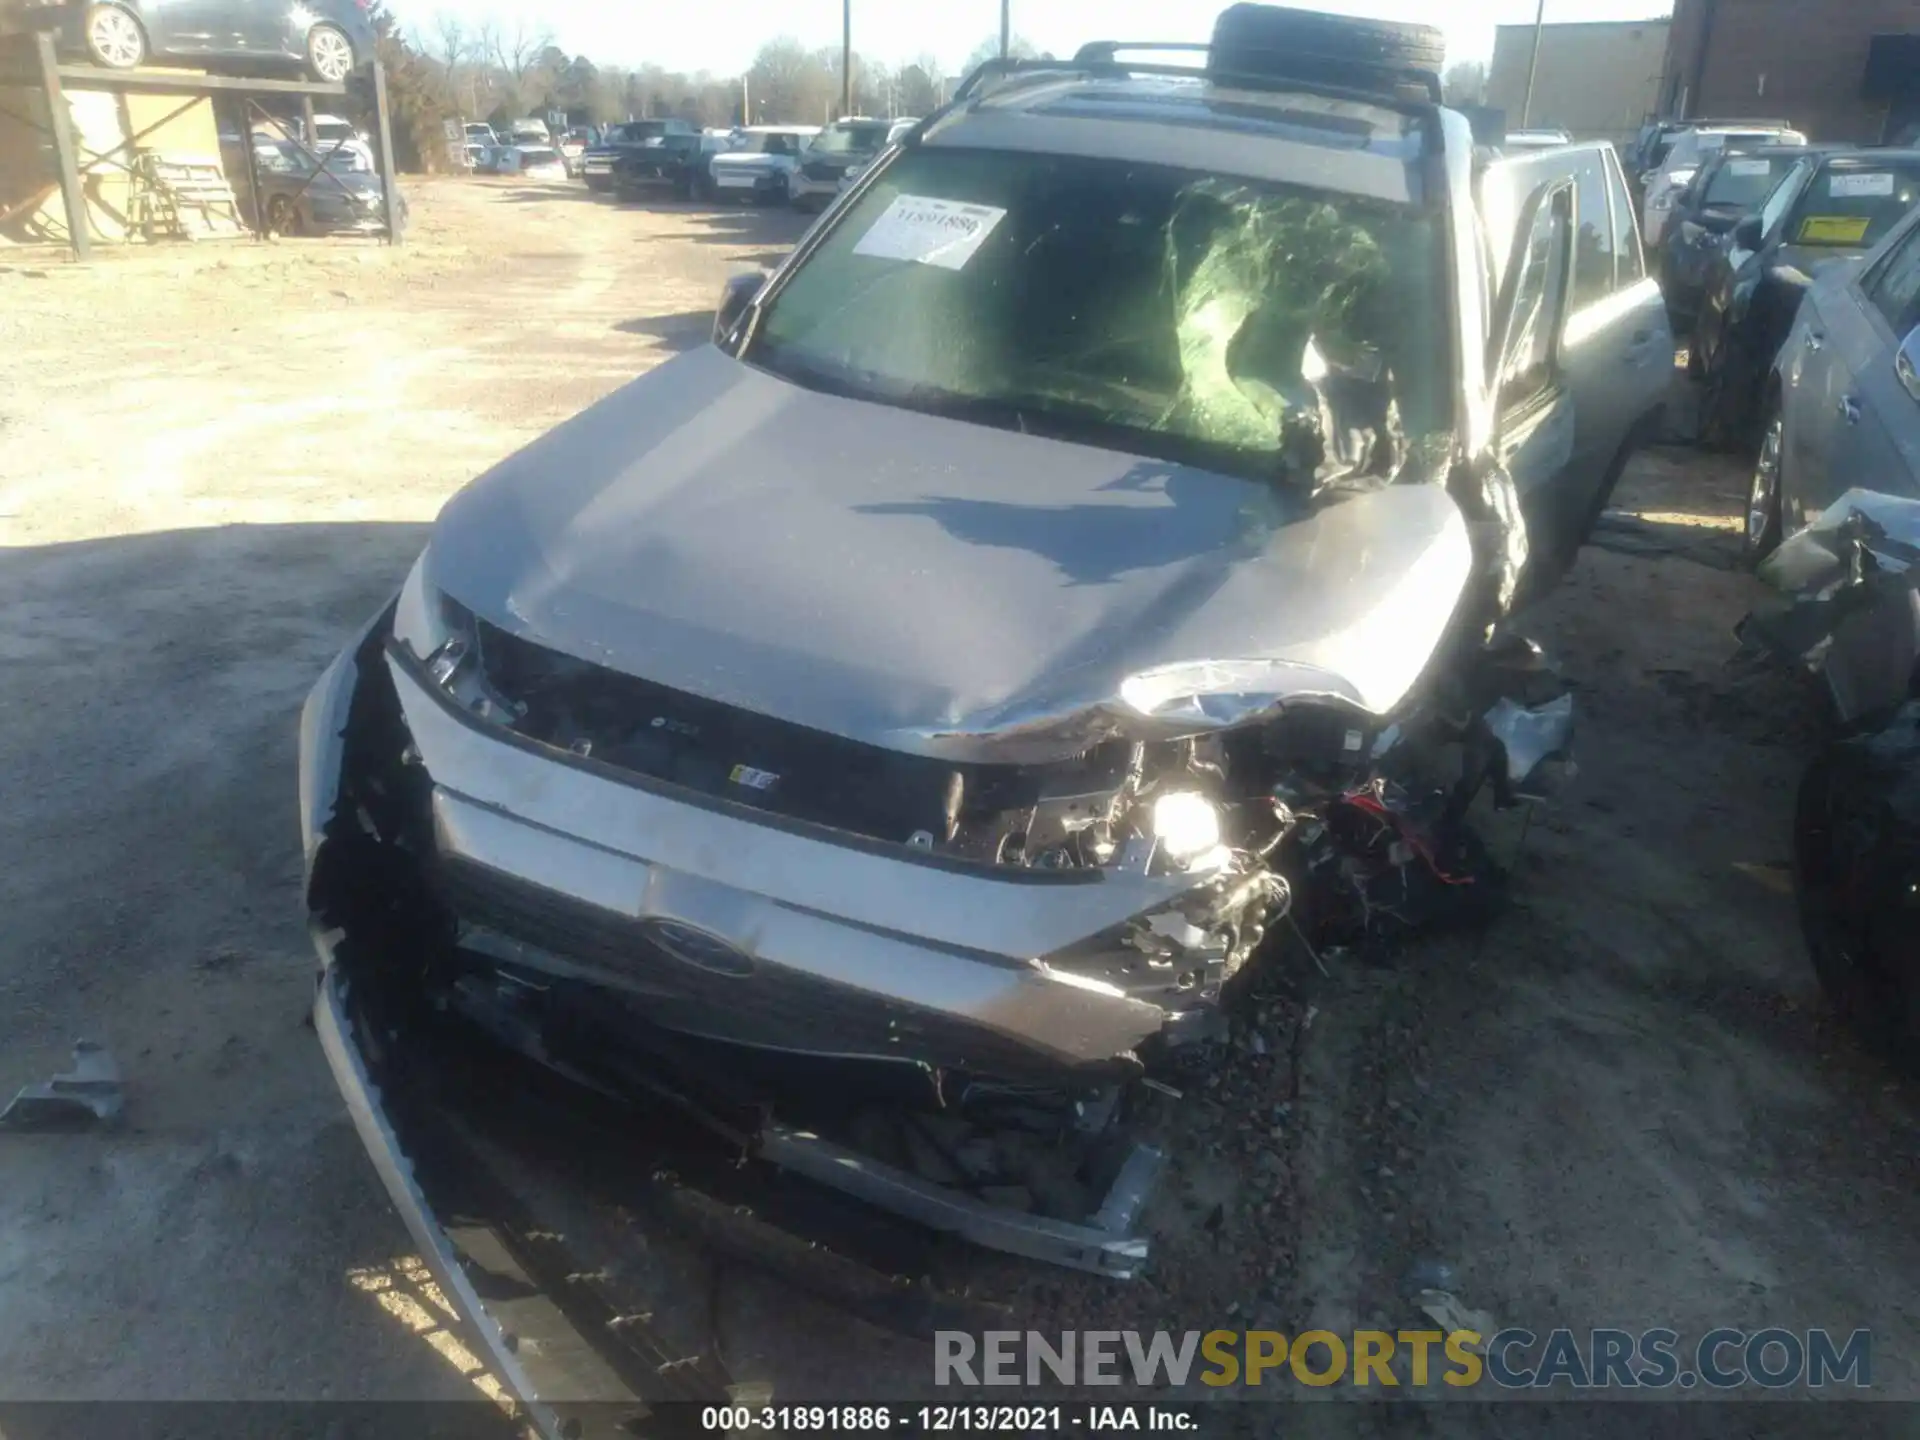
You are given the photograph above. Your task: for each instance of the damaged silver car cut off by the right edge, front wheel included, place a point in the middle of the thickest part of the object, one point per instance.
(1840, 560)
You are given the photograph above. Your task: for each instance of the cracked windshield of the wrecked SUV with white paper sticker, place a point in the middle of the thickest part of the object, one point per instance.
(1164, 310)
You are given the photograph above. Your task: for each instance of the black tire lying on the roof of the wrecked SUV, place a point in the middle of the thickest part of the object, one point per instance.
(1308, 43)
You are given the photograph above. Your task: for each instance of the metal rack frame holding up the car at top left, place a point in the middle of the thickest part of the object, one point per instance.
(53, 76)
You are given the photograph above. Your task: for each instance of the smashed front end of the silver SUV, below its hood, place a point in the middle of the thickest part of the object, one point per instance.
(926, 988)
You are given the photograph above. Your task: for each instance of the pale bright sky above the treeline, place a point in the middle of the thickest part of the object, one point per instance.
(721, 36)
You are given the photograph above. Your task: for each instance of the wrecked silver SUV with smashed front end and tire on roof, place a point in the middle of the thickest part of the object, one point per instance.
(884, 736)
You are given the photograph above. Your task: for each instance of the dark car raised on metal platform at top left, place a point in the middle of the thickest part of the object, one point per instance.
(331, 39)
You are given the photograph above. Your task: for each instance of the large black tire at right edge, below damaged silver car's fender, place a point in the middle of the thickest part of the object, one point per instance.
(1856, 863)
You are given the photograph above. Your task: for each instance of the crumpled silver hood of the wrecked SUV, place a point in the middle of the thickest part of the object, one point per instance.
(930, 585)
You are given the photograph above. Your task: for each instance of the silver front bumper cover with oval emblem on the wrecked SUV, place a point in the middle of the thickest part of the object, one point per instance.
(736, 926)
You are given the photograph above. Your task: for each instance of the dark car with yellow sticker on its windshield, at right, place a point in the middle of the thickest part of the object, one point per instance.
(1829, 210)
